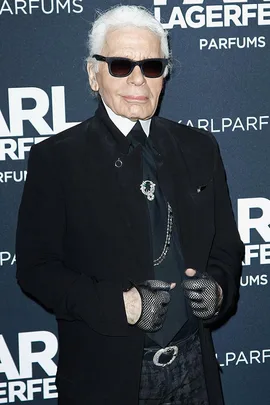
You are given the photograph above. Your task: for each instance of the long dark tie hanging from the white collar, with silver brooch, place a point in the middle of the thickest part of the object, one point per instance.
(170, 269)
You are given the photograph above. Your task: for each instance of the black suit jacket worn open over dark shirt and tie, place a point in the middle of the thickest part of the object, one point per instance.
(83, 235)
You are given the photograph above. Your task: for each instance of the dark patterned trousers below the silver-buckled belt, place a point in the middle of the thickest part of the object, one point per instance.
(179, 383)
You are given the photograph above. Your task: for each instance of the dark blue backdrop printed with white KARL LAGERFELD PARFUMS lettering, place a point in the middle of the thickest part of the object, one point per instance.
(220, 83)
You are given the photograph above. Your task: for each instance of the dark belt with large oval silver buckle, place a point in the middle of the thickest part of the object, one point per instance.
(163, 356)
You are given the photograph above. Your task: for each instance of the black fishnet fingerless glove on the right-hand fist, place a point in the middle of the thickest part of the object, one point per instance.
(204, 295)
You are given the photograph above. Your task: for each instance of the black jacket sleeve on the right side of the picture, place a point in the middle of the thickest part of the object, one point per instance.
(227, 252)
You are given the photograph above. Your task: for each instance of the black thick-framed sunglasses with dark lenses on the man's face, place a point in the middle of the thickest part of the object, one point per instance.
(122, 67)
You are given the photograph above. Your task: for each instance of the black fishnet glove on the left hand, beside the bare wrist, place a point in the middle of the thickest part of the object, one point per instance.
(155, 299)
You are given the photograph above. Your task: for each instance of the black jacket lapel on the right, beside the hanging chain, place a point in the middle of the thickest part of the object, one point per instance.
(176, 183)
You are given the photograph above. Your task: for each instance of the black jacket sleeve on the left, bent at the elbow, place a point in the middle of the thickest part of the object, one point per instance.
(41, 268)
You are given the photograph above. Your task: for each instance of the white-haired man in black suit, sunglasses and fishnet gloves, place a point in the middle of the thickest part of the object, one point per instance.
(126, 233)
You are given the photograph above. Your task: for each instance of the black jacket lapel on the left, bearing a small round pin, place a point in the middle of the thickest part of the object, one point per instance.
(108, 155)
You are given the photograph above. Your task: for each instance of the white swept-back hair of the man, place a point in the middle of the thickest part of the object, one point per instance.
(120, 17)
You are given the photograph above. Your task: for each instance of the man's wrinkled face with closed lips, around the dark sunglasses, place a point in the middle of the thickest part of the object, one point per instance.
(134, 96)
